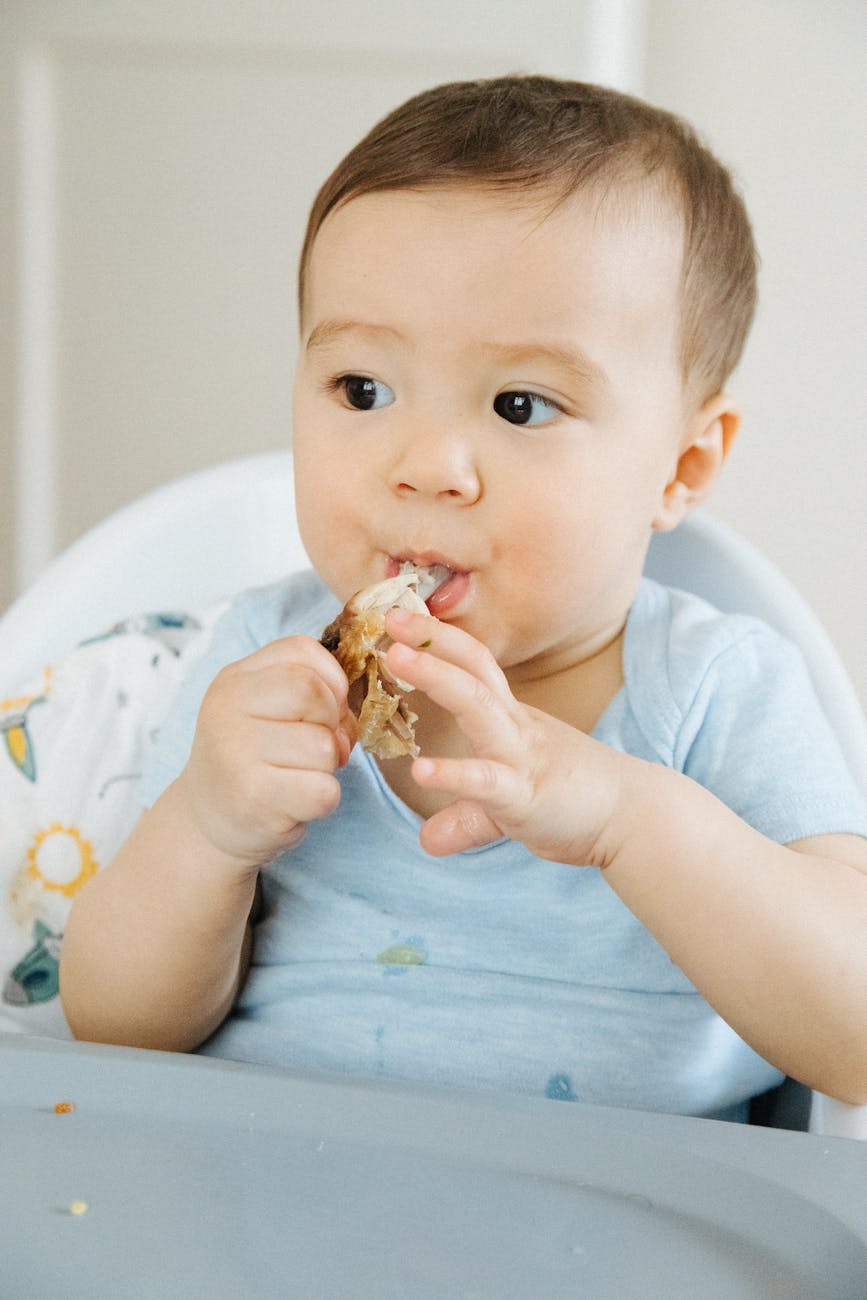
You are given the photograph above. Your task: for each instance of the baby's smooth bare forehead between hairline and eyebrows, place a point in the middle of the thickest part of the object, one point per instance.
(502, 263)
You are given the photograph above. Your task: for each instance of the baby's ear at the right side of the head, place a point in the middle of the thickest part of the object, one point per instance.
(708, 440)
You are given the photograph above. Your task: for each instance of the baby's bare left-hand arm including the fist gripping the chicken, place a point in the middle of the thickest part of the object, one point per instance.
(159, 942)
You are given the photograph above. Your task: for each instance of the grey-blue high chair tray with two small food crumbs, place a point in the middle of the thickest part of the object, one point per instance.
(183, 1177)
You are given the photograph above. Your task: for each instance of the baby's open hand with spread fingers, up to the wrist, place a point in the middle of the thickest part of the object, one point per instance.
(531, 777)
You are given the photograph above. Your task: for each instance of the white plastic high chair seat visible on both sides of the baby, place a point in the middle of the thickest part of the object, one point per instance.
(218, 531)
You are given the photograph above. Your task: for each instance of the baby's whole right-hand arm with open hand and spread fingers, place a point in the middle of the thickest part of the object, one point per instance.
(774, 937)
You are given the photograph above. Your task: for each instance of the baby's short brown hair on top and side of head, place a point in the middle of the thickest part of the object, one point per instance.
(554, 137)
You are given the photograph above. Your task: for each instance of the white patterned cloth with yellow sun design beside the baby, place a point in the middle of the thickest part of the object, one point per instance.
(72, 747)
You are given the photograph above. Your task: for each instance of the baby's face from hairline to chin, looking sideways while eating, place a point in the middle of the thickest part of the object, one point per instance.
(492, 385)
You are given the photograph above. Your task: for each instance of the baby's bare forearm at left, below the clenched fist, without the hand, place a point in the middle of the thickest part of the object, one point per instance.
(157, 944)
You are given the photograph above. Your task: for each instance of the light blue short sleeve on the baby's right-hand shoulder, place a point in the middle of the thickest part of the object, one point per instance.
(757, 736)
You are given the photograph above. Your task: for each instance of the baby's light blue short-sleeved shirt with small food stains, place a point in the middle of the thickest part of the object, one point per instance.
(493, 969)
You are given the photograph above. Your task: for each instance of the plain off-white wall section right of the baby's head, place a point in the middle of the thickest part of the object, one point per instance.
(779, 90)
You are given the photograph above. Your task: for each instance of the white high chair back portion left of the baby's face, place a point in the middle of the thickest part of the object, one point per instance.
(181, 547)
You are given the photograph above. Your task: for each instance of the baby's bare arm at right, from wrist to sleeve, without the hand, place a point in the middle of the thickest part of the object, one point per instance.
(774, 937)
